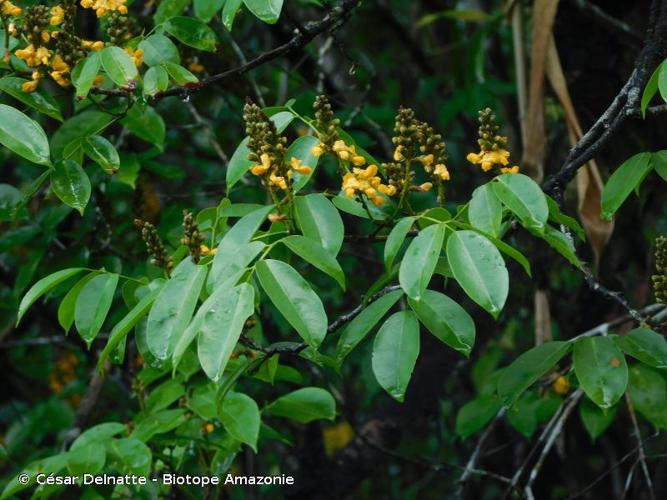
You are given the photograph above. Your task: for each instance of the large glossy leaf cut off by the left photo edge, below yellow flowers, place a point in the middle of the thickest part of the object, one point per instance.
(23, 135)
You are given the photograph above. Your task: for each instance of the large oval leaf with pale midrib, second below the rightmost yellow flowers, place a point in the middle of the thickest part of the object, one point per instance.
(479, 268)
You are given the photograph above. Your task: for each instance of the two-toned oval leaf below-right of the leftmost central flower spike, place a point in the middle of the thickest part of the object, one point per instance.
(319, 220)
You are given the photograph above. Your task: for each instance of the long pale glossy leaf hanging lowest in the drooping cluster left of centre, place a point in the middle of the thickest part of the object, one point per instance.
(221, 328)
